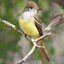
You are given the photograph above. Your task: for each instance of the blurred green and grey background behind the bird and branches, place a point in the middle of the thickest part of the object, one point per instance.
(14, 46)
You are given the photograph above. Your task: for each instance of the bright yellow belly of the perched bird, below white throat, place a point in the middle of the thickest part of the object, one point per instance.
(29, 27)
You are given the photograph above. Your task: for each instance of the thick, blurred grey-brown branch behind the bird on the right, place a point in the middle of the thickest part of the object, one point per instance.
(59, 19)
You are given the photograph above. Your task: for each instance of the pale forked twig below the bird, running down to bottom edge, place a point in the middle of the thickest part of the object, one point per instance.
(34, 47)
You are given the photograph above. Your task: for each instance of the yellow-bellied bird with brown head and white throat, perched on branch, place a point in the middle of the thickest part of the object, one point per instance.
(31, 25)
